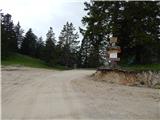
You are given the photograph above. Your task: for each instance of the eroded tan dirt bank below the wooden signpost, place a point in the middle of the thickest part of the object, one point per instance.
(147, 79)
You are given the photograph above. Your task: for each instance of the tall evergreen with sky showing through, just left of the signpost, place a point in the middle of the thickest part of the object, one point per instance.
(96, 30)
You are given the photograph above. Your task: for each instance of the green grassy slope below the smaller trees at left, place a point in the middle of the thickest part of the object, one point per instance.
(23, 60)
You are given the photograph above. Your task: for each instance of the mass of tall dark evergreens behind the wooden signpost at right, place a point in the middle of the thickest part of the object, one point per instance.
(136, 24)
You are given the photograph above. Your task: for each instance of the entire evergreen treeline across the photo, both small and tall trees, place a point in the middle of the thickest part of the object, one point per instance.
(136, 24)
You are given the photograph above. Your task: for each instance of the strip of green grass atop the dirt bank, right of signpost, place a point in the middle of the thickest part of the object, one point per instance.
(152, 67)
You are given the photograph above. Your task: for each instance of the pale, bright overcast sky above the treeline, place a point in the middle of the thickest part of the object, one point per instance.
(42, 14)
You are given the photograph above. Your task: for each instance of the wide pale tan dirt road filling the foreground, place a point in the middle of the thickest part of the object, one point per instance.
(40, 94)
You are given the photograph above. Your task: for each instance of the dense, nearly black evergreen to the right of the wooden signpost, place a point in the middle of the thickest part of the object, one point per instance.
(139, 31)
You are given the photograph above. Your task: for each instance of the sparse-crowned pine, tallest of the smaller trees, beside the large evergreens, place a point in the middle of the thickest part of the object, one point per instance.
(68, 44)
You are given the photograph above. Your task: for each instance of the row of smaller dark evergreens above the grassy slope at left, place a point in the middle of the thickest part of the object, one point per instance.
(64, 52)
